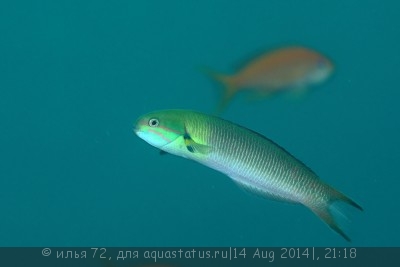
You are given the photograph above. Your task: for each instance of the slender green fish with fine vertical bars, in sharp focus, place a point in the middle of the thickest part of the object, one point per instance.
(251, 160)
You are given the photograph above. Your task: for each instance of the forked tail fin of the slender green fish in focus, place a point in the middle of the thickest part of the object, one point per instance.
(323, 211)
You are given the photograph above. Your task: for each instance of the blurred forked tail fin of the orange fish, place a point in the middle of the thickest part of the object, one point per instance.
(228, 83)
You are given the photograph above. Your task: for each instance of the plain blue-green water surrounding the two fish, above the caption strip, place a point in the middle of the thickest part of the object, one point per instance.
(74, 76)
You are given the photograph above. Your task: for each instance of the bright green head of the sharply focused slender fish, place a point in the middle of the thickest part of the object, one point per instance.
(159, 128)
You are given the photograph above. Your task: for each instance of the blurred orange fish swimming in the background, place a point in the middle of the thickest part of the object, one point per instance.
(282, 69)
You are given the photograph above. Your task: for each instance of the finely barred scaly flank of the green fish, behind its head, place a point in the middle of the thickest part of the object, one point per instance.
(259, 160)
